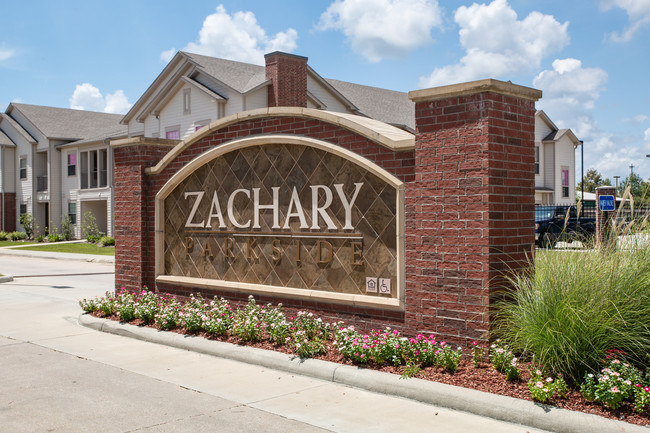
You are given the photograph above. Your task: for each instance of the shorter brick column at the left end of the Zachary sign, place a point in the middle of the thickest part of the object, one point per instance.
(134, 195)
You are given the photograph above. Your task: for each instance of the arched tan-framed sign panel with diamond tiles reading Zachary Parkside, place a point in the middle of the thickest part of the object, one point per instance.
(287, 216)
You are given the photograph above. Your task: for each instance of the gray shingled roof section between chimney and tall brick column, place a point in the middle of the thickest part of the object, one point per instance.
(381, 104)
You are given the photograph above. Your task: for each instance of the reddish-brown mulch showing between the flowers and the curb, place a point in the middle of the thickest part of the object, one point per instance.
(483, 378)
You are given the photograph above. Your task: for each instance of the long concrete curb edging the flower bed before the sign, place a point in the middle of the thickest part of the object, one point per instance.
(535, 415)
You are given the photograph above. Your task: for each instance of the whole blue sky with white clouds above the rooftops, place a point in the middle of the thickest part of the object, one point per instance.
(590, 58)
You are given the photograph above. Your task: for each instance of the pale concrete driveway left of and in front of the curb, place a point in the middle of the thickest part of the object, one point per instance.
(56, 376)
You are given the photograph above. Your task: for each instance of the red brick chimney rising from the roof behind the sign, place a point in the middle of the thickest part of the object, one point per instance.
(288, 74)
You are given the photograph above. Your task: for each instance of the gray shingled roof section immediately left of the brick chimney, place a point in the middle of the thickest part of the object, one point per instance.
(240, 76)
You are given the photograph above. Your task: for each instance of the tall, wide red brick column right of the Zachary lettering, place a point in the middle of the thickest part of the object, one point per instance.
(470, 210)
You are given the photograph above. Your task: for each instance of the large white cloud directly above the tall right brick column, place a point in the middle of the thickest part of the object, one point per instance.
(497, 43)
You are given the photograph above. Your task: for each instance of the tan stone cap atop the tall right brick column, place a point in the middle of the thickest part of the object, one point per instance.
(488, 85)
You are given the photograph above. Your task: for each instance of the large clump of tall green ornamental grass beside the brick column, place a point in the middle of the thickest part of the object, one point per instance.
(576, 306)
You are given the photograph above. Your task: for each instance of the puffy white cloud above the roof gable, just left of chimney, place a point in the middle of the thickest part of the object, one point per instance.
(237, 37)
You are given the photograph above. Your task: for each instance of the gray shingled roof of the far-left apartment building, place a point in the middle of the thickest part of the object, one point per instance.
(69, 124)
